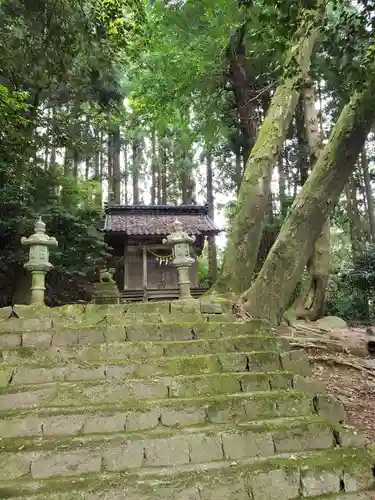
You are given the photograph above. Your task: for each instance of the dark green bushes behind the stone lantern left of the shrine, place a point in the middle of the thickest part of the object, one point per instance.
(81, 246)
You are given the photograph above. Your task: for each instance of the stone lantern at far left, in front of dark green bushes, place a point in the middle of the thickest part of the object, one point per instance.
(38, 263)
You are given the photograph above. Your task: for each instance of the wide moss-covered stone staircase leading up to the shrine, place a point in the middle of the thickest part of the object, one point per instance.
(166, 401)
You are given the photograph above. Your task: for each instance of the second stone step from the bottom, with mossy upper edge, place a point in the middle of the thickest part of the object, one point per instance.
(45, 457)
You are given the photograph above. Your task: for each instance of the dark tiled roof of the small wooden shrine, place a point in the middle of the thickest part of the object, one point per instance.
(148, 220)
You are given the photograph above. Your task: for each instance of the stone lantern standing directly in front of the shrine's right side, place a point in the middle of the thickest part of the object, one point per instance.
(180, 242)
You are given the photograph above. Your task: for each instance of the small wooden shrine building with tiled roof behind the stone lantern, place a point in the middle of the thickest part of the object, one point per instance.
(142, 263)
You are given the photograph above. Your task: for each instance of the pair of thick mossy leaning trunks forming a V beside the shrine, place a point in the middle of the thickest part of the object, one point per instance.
(270, 293)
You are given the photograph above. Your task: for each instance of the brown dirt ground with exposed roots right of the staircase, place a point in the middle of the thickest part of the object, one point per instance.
(342, 362)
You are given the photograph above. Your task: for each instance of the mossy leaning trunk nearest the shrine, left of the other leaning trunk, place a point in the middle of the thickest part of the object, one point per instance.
(245, 233)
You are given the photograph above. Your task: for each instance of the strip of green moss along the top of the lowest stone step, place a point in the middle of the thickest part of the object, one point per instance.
(177, 480)
